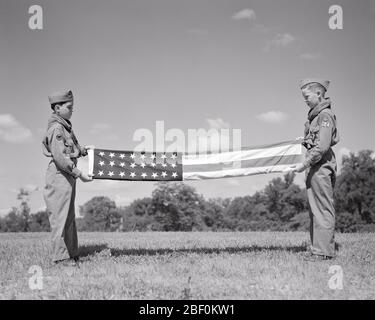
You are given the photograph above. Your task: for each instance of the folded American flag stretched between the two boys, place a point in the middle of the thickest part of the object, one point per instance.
(177, 166)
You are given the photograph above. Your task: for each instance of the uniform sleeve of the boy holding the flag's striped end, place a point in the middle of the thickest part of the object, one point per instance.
(326, 127)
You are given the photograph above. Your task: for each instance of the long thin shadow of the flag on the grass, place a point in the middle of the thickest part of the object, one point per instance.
(161, 251)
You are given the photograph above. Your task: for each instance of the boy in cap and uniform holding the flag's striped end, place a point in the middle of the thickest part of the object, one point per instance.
(320, 165)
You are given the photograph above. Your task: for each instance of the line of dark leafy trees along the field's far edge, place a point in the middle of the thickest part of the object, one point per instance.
(280, 206)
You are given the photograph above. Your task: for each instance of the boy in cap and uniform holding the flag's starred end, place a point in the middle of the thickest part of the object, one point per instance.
(61, 145)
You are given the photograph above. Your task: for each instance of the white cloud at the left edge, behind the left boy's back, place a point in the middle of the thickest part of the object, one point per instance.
(13, 131)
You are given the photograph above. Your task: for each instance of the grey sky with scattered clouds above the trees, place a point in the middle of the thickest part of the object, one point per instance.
(191, 64)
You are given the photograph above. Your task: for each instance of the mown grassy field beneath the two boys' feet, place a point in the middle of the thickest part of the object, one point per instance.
(193, 265)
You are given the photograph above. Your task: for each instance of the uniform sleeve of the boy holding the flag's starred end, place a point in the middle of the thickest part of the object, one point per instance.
(62, 161)
